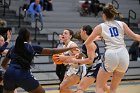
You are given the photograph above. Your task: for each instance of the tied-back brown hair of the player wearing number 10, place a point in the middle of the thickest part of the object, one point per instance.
(110, 11)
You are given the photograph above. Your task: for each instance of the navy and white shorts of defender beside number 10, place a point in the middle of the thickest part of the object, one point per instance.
(94, 71)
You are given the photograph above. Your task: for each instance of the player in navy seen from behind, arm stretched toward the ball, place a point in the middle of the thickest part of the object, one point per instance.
(21, 55)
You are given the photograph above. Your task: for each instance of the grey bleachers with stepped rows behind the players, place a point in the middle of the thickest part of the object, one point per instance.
(65, 15)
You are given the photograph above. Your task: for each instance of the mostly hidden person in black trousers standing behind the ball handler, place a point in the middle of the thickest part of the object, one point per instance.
(60, 68)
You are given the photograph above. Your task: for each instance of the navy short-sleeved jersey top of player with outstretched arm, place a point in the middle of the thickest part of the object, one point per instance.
(16, 59)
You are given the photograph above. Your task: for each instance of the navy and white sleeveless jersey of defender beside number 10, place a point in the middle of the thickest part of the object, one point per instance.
(96, 59)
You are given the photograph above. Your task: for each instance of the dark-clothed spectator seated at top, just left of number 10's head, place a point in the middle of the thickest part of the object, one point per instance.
(96, 7)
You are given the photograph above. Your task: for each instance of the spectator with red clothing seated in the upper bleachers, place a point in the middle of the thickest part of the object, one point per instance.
(85, 8)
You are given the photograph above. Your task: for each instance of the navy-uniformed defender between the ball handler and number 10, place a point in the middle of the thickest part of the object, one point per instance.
(92, 59)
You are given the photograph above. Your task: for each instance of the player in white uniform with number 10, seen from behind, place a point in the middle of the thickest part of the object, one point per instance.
(116, 58)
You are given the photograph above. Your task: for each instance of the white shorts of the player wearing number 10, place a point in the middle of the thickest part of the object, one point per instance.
(116, 59)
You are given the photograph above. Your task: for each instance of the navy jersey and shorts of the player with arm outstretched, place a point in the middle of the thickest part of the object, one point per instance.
(17, 68)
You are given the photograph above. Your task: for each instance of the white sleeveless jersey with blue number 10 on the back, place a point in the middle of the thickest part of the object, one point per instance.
(113, 34)
